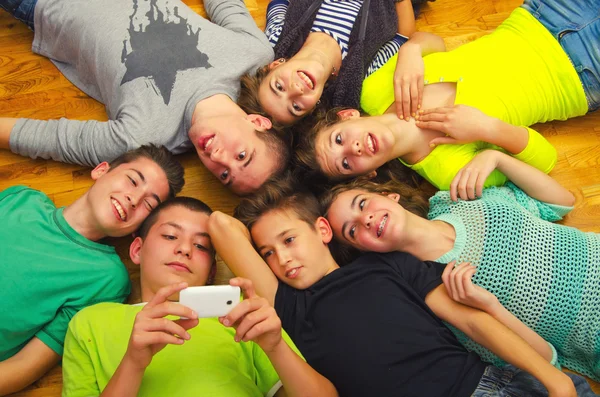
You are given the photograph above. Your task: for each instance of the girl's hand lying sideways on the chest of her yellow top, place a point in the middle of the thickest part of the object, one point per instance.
(460, 123)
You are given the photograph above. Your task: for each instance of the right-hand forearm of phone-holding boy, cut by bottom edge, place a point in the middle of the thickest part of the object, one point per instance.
(298, 378)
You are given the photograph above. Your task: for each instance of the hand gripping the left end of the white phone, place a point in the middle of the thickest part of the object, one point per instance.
(152, 331)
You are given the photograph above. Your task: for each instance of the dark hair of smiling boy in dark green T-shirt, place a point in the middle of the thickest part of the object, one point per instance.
(162, 157)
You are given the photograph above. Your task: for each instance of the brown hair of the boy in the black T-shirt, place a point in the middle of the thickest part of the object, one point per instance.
(283, 193)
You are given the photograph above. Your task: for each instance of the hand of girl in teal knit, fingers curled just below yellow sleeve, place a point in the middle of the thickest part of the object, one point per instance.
(469, 181)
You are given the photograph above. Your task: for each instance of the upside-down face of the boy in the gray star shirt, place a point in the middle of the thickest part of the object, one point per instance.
(231, 150)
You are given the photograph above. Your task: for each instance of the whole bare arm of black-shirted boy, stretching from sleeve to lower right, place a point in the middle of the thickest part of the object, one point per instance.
(488, 332)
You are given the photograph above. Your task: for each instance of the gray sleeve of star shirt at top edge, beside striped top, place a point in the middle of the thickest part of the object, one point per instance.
(232, 15)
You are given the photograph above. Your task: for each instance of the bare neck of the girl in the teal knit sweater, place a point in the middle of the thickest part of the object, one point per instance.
(425, 239)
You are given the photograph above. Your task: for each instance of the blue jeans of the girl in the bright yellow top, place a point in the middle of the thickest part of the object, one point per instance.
(576, 26)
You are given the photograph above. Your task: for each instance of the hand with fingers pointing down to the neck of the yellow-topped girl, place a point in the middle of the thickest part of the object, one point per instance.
(408, 81)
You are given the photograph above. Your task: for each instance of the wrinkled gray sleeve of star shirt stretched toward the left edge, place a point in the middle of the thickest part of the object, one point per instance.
(72, 141)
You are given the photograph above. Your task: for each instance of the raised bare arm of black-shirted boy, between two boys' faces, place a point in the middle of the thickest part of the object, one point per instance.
(232, 242)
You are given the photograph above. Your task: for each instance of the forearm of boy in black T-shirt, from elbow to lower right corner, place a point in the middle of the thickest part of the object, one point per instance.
(490, 333)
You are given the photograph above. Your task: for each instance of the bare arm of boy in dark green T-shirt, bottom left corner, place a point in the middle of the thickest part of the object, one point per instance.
(27, 366)
